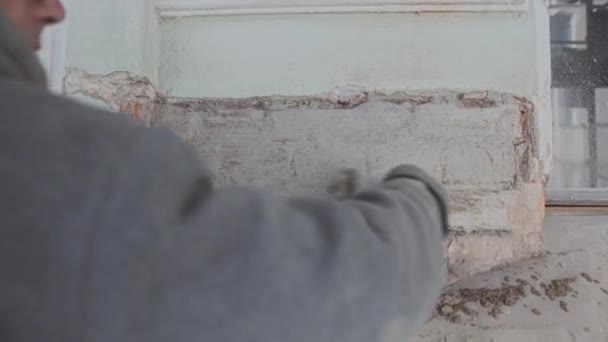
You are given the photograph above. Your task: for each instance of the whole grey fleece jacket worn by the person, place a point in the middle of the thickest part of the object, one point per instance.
(113, 232)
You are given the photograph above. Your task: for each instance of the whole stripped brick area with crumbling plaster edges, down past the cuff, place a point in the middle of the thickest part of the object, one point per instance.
(491, 224)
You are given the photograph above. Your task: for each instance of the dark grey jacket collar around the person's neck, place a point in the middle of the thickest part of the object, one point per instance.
(17, 60)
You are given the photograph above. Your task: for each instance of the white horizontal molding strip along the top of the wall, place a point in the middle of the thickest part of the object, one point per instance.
(202, 8)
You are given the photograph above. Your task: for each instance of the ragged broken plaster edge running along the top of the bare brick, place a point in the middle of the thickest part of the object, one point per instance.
(123, 91)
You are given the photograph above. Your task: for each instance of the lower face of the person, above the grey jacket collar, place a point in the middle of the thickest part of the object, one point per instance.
(32, 16)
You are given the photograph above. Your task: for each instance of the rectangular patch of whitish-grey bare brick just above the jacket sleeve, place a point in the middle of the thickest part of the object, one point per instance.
(301, 145)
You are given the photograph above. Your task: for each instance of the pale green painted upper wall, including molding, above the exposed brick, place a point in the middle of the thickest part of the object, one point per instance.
(196, 51)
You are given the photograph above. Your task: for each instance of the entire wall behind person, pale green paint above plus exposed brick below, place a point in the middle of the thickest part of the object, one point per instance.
(490, 148)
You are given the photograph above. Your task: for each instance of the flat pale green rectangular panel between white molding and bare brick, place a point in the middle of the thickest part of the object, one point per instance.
(241, 56)
